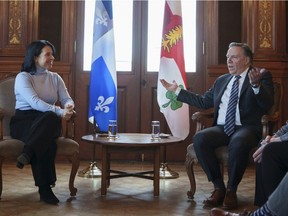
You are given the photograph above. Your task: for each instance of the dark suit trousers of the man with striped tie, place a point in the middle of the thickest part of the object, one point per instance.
(239, 145)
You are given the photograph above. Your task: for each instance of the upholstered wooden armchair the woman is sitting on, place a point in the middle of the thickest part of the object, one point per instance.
(11, 148)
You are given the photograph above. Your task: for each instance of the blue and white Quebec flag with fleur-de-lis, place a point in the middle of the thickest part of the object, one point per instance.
(103, 79)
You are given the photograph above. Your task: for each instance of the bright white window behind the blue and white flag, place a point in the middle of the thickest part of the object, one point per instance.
(122, 22)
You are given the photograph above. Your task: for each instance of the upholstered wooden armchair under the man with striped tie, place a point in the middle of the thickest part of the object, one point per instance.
(202, 119)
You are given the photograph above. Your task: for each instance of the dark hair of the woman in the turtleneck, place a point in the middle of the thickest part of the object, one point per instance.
(34, 49)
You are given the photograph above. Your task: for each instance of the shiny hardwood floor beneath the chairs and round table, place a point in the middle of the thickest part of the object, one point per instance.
(125, 196)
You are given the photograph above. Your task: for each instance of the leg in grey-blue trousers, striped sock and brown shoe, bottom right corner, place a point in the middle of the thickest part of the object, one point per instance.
(277, 204)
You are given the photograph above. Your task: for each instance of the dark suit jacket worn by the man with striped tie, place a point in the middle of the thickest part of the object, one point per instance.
(251, 106)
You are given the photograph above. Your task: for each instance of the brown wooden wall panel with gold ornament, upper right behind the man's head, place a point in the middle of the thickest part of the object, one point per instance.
(264, 29)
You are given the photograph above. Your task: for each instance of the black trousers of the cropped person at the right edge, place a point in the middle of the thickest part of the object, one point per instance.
(271, 170)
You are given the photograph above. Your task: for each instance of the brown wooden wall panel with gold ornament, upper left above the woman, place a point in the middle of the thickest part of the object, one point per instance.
(17, 21)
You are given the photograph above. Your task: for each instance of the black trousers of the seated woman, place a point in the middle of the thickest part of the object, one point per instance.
(39, 131)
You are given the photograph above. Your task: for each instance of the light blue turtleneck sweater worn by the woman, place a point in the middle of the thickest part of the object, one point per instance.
(41, 91)
